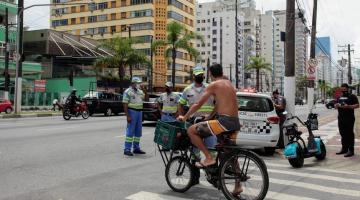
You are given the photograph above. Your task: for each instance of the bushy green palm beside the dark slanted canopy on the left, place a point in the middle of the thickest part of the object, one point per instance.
(123, 55)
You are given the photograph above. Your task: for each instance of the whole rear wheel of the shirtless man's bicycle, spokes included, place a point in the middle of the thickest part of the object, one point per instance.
(245, 171)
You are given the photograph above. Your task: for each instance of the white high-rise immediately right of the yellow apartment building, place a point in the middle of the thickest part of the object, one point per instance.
(216, 22)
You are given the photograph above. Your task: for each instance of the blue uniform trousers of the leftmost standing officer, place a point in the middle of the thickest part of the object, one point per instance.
(133, 130)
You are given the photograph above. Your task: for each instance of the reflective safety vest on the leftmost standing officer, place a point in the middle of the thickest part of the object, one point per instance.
(134, 98)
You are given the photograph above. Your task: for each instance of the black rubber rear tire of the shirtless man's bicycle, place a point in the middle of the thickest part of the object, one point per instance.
(261, 167)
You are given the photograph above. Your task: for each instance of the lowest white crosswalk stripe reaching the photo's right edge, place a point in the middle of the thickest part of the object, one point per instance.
(316, 187)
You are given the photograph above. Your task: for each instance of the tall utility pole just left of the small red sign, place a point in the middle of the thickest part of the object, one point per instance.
(19, 56)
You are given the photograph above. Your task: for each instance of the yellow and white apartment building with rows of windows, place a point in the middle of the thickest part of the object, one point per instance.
(146, 19)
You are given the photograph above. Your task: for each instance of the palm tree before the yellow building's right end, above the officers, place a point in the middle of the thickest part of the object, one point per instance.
(177, 39)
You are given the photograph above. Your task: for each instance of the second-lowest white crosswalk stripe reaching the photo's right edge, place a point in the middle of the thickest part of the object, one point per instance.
(316, 176)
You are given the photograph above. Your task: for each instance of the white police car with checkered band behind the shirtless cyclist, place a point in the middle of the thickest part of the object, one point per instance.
(259, 121)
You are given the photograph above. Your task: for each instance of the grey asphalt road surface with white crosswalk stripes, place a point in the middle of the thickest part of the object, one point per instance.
(49, 158)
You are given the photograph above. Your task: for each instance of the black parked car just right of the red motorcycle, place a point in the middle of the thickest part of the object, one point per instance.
(104, 102)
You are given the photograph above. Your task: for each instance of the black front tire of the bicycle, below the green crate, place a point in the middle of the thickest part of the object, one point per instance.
(183, 162)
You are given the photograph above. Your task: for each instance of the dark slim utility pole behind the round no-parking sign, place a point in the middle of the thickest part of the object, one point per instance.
(311, 84)
